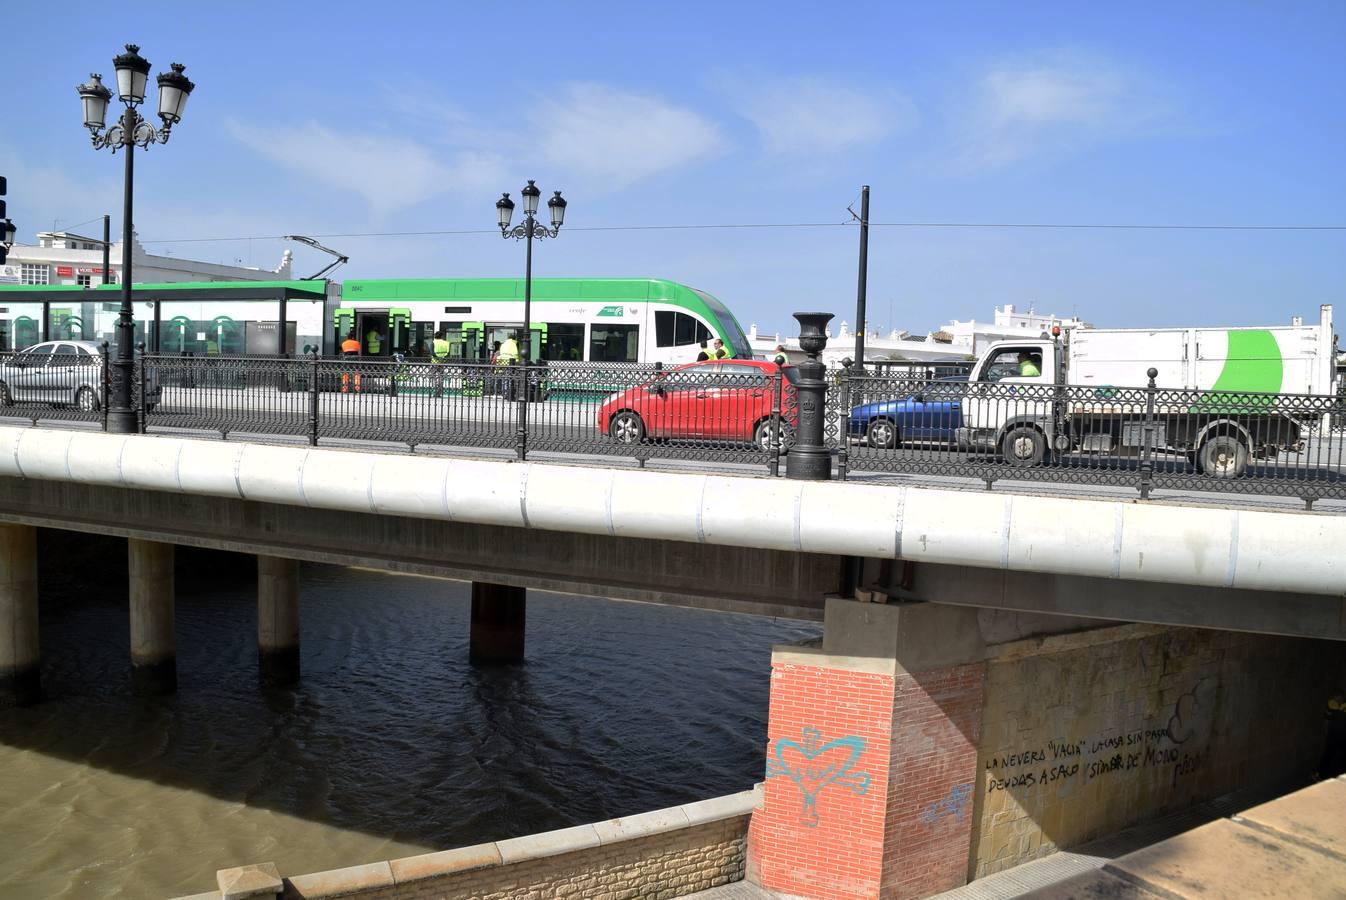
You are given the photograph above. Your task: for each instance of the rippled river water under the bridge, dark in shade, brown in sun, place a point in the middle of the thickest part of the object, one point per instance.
(391, 746)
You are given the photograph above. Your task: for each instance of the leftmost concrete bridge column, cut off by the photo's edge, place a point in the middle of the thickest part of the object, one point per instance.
(21, 659)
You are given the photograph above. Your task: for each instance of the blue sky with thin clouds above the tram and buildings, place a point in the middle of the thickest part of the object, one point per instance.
(321, 119)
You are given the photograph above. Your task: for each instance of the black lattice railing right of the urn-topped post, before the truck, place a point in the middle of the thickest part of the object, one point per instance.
(1143, 438)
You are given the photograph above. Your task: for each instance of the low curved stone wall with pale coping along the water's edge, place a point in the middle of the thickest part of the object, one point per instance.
(652, 856)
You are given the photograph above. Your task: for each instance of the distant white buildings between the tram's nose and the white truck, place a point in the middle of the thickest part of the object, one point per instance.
(955, 341)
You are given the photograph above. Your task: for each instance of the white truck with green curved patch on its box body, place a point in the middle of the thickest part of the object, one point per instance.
(1084, 393)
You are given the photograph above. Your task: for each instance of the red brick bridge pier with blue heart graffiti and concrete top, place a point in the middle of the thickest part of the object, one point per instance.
(873, 755)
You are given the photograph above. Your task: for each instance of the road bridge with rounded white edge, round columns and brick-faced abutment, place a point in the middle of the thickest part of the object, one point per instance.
(1001, 673)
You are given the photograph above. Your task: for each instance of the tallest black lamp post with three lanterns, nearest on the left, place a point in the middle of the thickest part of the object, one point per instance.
(131, 133)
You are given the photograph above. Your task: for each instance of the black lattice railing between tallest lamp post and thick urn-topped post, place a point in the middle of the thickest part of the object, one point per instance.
(571, 408)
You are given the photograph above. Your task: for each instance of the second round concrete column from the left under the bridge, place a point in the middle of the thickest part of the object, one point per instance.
(154, 656)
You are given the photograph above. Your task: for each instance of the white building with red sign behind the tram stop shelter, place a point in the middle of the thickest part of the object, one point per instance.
(64, 258)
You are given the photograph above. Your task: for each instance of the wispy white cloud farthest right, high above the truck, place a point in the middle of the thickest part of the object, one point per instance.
(1057, 104)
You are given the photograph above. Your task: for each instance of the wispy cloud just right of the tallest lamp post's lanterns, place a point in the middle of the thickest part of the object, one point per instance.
(390, 173)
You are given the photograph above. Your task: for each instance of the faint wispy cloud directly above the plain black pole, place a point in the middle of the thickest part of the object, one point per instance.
(810, 115)
